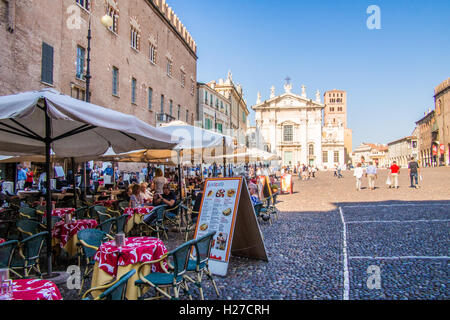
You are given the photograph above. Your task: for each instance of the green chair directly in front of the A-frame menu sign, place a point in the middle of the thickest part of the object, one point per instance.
(199, 265)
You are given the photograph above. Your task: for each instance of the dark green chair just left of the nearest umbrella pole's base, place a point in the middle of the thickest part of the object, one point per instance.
(29, 253)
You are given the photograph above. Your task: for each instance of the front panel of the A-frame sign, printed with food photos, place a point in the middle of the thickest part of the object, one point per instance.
(218, 213)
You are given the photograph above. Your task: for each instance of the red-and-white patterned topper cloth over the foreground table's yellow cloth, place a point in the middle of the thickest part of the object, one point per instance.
(136, 250)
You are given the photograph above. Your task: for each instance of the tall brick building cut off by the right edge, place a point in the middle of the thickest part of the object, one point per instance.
(442, 109)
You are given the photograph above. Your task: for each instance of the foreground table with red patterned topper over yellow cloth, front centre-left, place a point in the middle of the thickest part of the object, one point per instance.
(113, 262)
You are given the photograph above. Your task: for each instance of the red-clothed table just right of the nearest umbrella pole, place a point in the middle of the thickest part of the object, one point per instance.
(65, 235)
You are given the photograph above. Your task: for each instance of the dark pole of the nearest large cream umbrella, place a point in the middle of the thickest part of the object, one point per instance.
(49, 191)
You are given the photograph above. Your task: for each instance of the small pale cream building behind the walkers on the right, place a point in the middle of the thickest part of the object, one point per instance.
(402, 150)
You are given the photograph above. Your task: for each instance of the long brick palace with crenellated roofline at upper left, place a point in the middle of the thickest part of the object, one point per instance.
(145, 64)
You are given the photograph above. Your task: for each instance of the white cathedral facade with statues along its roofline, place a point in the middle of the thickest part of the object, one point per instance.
(293, 127)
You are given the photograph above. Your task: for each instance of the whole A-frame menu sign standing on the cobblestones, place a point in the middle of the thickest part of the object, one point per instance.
(227, 209)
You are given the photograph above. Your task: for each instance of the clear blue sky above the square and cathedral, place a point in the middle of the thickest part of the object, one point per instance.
(389, 74)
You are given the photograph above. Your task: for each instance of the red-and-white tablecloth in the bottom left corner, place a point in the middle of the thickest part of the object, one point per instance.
(35, 289)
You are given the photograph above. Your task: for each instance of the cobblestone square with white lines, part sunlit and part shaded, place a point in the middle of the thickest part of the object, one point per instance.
(403, 234)
